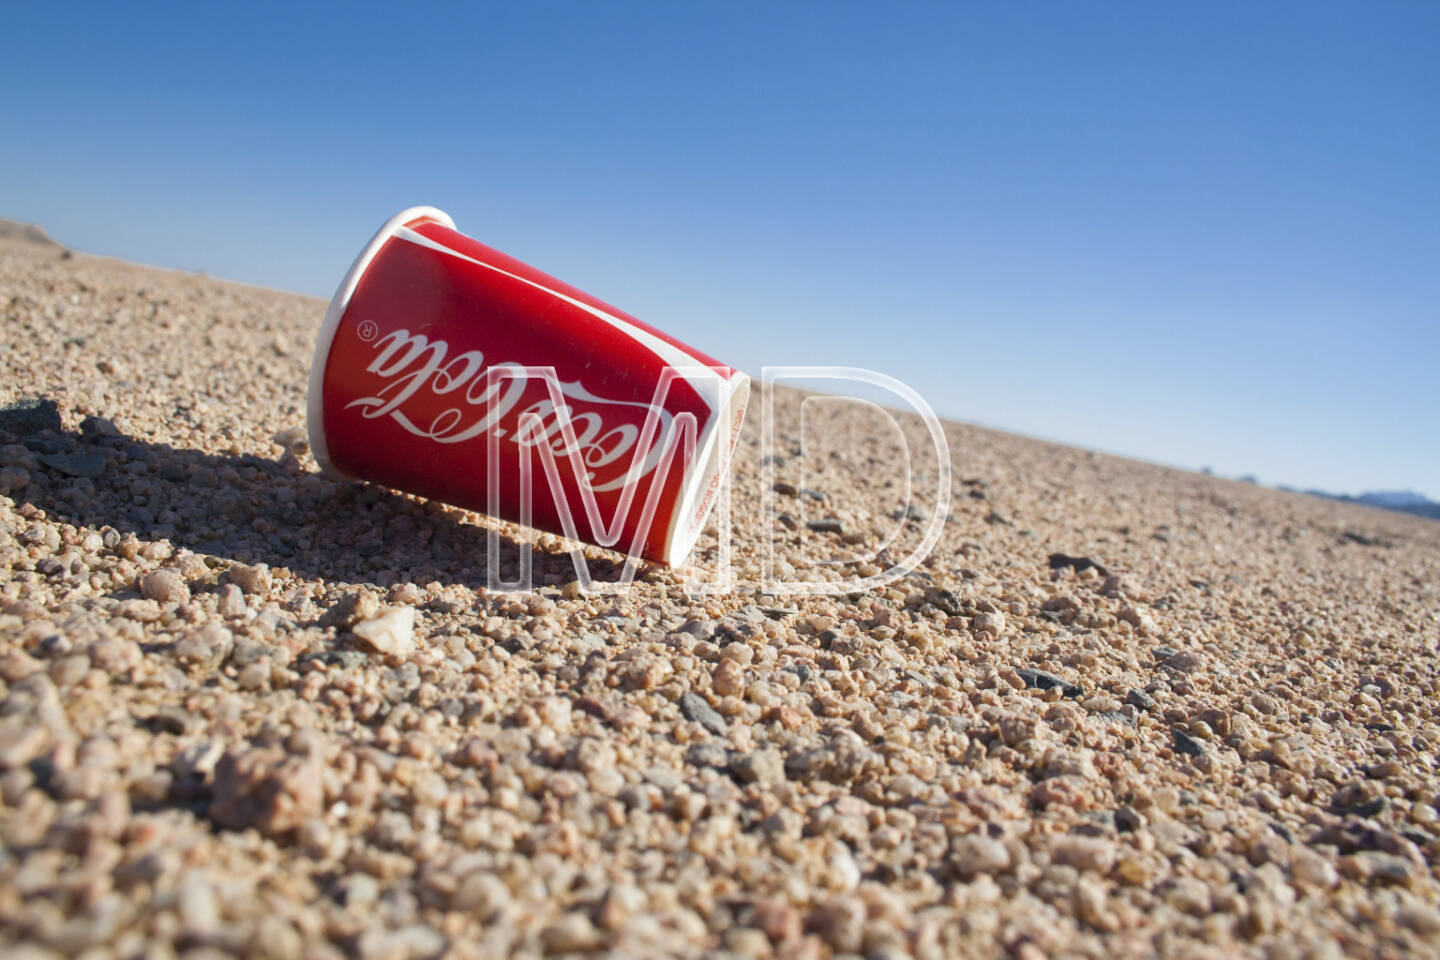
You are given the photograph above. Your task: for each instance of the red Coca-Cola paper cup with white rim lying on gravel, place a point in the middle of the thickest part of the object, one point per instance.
(454, 372)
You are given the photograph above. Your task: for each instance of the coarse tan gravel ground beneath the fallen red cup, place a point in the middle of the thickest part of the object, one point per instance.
(250, 712)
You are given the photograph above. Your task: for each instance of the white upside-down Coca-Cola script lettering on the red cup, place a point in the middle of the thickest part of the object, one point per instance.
(451, 399)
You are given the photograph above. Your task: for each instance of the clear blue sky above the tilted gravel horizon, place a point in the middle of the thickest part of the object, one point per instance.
(1202, 235)
